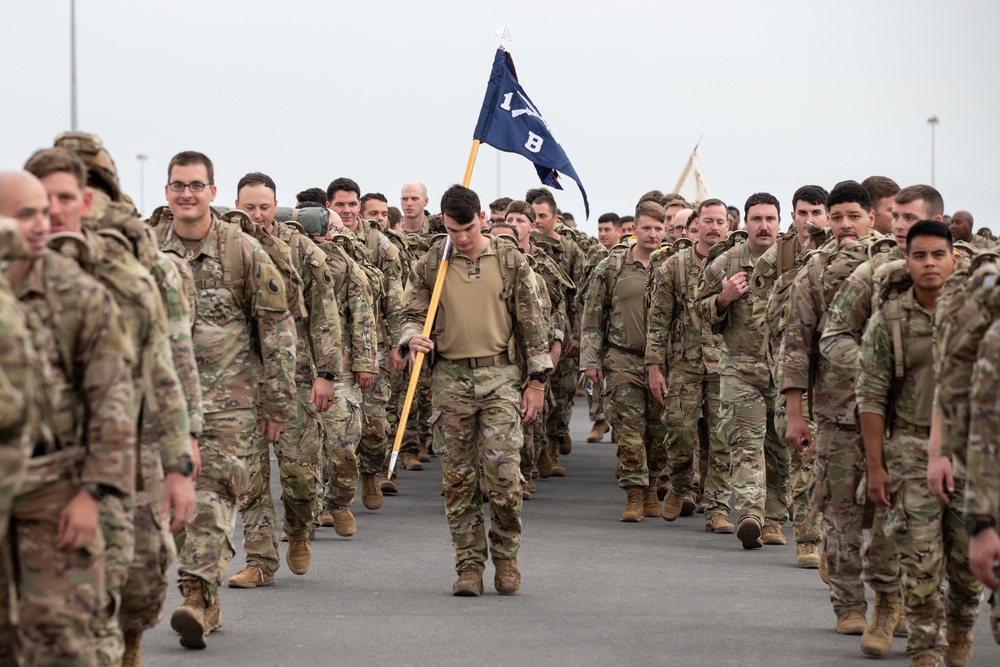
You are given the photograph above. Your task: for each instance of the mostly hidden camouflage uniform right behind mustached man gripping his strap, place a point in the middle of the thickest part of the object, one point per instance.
(806, 520)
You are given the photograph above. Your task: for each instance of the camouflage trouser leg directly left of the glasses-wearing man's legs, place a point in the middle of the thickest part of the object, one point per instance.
(145, 588)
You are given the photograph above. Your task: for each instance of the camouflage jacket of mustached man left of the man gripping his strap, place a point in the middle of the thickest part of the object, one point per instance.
(678, 338)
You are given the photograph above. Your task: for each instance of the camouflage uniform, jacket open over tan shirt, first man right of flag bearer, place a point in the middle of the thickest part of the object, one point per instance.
(613, 323)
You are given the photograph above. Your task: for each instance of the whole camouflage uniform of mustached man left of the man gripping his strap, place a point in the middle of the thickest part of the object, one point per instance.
(683, 343)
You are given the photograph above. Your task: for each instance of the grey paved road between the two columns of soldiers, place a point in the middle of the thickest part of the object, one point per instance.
(595, 592)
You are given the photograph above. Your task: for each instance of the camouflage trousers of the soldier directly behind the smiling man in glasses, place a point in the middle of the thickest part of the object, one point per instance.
(298, 453)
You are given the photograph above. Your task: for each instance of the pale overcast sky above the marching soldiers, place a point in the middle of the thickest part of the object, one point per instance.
(781, 93)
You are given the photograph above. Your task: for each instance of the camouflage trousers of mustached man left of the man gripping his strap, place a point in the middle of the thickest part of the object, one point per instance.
(691, 397)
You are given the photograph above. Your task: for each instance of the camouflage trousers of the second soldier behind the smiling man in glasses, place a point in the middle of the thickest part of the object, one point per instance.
(342, 433)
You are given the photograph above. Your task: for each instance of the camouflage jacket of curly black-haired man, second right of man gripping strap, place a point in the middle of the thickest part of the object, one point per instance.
(800, 365)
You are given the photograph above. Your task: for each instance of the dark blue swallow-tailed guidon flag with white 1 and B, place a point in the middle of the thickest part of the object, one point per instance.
(511, 122)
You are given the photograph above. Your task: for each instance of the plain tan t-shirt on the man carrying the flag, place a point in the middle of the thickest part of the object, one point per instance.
(472, 319)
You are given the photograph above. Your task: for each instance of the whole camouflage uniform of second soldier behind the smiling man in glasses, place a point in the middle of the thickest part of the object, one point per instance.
(342, 421)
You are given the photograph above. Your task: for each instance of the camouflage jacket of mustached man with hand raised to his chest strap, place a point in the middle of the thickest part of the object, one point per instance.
(741, 340)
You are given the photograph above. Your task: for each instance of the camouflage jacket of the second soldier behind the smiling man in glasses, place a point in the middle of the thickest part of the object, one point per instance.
(358, 335)
